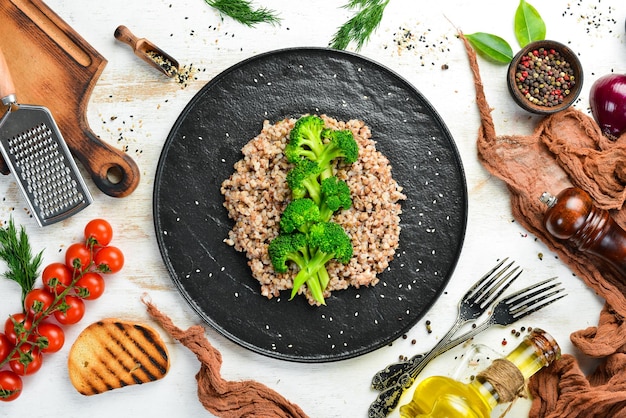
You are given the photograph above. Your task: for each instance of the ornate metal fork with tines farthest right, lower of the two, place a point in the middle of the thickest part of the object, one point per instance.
(507, 311)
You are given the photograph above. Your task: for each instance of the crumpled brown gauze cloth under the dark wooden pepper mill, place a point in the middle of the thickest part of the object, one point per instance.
(567, 148)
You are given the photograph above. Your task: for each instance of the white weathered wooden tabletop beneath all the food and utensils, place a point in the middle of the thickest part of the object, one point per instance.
(133, 108)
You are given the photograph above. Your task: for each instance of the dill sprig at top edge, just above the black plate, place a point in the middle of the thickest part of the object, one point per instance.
(361, 26)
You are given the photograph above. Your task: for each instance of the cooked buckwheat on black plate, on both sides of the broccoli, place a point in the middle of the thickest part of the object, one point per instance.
(257, 193)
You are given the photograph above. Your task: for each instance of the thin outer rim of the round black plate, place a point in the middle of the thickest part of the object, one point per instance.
(267, 352)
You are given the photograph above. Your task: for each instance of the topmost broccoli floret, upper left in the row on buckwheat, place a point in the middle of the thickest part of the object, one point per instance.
(305, 139)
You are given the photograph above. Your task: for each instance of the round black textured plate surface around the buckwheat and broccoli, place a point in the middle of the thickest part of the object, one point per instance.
(191, 222)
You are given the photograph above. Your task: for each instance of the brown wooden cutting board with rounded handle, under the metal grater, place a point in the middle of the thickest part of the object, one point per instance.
(53, 66)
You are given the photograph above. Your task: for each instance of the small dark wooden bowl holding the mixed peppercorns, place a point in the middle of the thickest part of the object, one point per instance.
(568, 55)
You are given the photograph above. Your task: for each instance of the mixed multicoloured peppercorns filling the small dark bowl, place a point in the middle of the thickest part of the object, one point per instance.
(544, 77)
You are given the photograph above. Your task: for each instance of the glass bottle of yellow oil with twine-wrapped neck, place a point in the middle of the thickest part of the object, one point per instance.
(443, 397)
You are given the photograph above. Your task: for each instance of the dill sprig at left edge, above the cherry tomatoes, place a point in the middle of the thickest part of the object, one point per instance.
(15, 250)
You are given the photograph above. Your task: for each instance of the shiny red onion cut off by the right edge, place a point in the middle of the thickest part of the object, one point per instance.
(608, 103)
